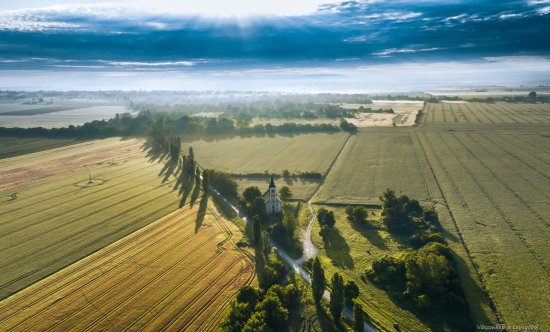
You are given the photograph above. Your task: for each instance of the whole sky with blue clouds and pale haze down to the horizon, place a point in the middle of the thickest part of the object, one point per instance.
(305, 45)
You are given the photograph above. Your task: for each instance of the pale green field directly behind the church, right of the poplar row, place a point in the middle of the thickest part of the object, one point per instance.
(299, 153)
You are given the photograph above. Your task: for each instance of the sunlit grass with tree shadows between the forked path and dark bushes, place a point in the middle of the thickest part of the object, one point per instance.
(350, 250)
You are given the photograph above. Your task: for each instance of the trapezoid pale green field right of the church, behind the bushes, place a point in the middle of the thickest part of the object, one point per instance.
(376, 159)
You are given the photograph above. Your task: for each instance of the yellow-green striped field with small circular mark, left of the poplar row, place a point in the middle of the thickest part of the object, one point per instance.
(52, 217)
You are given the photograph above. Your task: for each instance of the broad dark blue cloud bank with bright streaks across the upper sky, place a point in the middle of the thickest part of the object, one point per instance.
(314, 33)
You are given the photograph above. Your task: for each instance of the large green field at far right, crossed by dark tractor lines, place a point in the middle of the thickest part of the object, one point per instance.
(496, 187)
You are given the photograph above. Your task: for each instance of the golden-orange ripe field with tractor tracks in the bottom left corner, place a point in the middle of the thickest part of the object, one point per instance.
(178, 273)
